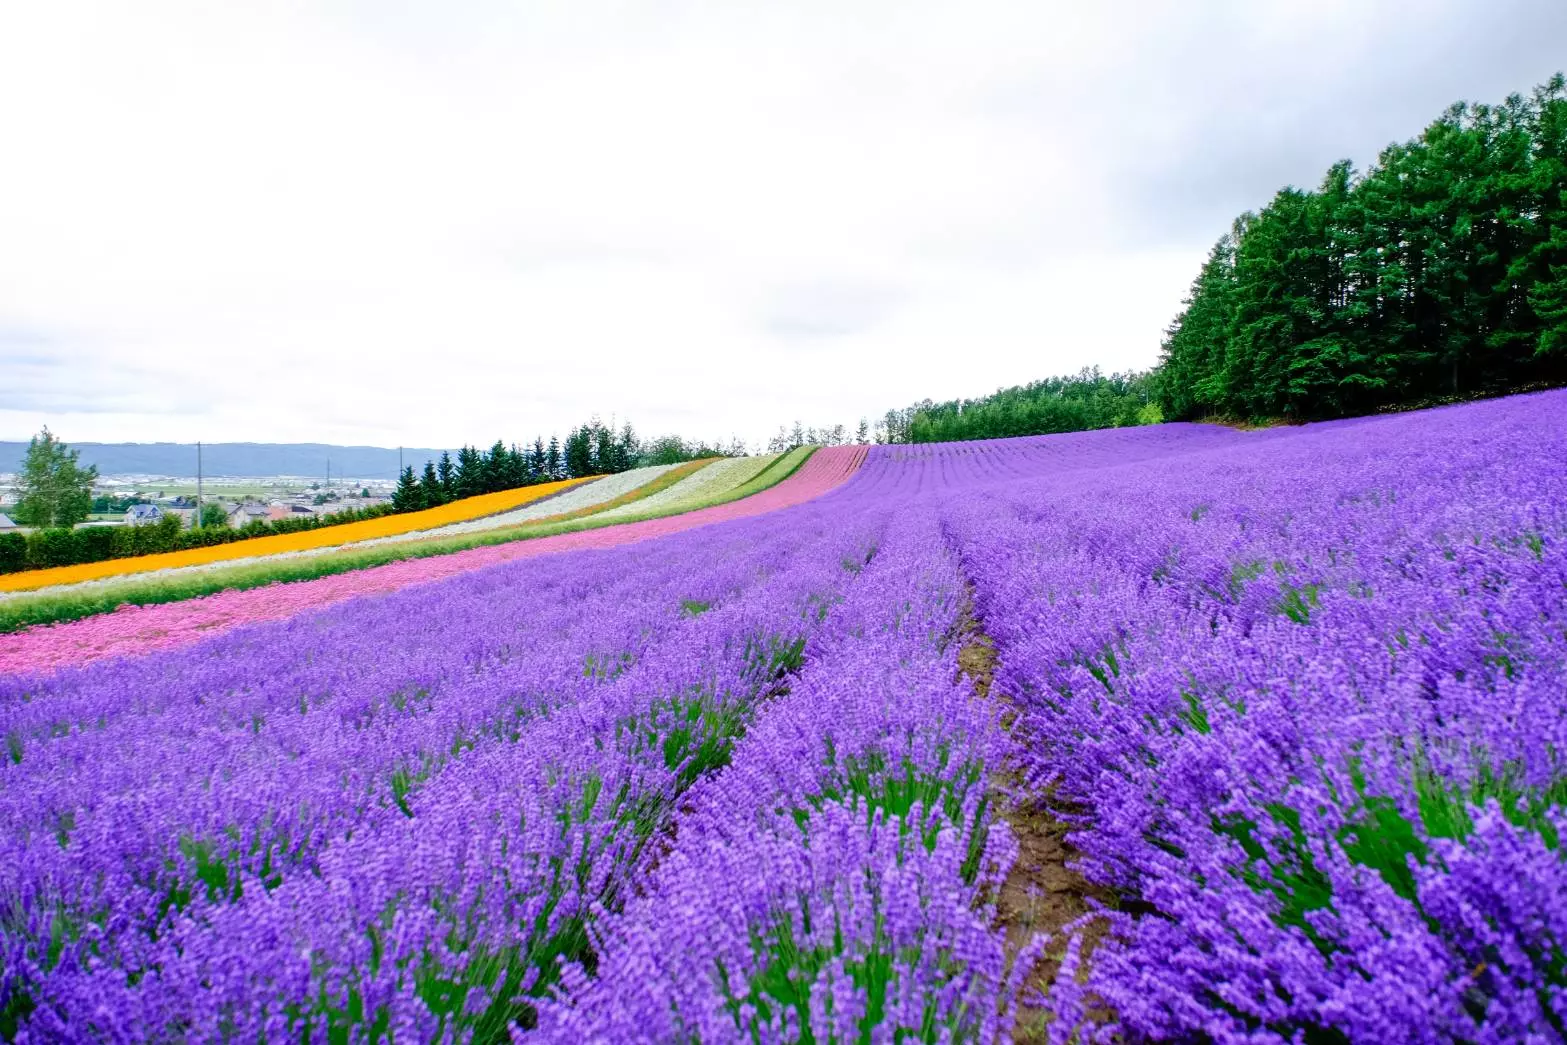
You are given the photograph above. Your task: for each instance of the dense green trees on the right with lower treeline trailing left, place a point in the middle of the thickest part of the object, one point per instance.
(1441, 273)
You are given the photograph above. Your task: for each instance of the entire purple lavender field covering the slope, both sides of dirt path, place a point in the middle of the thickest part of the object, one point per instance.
(1300, 695)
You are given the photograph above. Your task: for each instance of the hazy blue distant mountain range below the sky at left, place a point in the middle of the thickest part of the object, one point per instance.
(250, 460)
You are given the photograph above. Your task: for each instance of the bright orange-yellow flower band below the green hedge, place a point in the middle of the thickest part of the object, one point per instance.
(327, 537)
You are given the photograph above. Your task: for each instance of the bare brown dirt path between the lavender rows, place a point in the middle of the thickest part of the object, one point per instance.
(1041, 894)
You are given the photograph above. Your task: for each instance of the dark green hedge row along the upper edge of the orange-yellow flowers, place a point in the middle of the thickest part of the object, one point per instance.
(43, 549)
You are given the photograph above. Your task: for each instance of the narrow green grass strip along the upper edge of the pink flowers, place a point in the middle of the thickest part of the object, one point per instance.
(24, 612)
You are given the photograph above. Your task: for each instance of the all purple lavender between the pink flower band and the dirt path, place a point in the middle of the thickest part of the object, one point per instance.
(438, 814)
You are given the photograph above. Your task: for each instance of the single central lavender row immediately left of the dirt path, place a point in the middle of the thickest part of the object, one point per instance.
(847, 850)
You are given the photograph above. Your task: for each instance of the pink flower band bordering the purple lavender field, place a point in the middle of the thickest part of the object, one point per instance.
(132, 631)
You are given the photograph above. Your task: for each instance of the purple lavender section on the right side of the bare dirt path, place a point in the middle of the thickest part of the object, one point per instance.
(1308, 700)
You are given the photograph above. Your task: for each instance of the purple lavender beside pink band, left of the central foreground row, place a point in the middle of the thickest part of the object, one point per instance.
(396, 717)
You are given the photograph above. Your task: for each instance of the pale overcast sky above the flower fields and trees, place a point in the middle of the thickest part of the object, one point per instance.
(441, 223)
